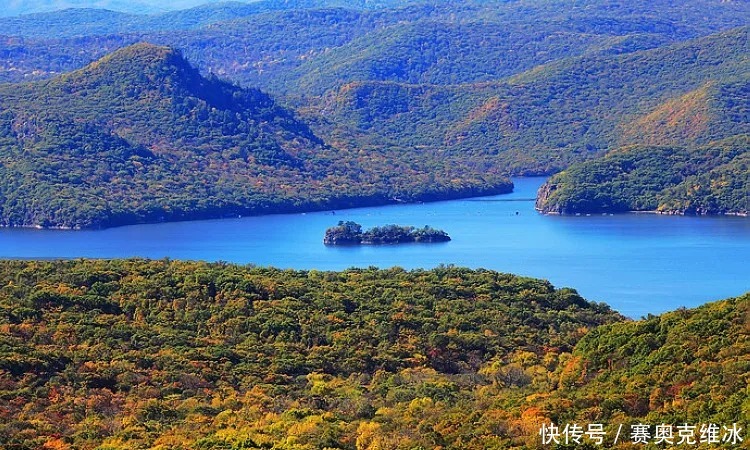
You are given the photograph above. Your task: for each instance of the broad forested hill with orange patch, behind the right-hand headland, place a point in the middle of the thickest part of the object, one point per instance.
(541, 121)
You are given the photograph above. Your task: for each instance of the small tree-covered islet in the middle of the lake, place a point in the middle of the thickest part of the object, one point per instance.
(350, 233)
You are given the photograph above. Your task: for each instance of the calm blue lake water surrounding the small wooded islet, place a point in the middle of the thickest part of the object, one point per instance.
(637, 263)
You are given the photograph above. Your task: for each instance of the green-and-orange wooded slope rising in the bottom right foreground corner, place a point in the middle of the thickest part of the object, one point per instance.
(687, 366)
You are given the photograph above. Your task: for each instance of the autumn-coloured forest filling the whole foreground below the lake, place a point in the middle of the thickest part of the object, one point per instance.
(182, 355)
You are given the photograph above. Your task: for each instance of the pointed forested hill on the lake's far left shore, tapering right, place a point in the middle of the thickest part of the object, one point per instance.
(141, 136)
